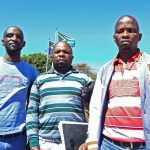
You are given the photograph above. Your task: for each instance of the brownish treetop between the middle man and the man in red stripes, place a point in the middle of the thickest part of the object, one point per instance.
(84, 67)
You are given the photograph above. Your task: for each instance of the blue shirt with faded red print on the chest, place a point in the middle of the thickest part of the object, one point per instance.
(15, 79)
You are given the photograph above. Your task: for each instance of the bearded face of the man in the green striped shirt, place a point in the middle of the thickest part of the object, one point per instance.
(62, 56)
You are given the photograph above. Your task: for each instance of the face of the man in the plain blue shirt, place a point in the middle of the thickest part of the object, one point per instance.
(13, 39)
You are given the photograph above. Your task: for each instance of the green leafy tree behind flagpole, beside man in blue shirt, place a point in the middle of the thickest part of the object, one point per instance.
(38, 60)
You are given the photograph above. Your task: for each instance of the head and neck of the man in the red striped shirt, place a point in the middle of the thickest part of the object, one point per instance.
(127, 36)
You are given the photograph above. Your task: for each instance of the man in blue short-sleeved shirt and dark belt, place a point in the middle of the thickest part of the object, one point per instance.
(16, 78)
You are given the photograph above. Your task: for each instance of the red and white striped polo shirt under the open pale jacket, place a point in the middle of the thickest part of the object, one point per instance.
(123, 120)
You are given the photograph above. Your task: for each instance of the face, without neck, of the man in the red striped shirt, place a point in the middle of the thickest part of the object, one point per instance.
(127, 34)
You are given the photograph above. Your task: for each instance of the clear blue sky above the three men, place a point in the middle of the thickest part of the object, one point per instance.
(90, 22)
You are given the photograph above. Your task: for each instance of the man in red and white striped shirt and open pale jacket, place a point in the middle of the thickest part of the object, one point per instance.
(120, 103)
